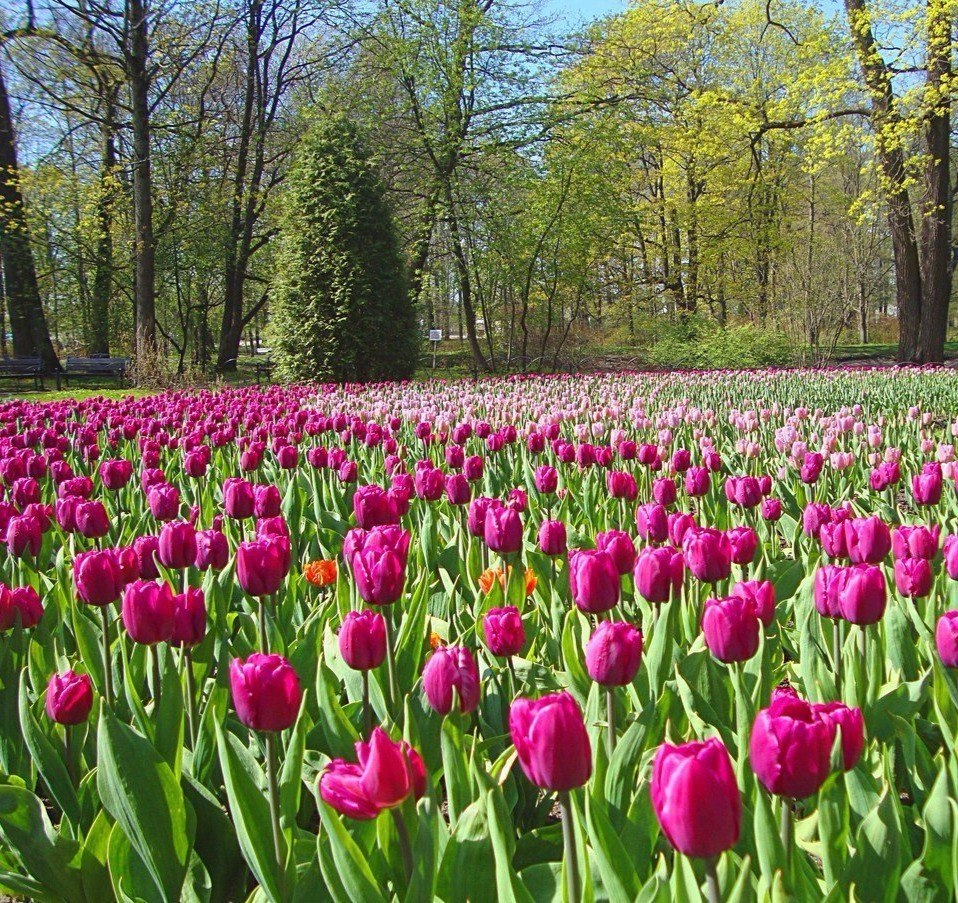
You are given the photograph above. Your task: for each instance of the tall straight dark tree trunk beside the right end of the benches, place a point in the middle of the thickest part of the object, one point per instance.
(138, 78)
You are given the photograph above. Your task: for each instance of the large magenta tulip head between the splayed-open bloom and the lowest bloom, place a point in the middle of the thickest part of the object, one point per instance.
(542, 727)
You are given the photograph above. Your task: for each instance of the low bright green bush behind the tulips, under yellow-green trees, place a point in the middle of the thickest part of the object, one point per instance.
(700, 345)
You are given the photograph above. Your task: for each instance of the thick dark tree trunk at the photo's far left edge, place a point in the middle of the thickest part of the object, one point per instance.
(31, 337)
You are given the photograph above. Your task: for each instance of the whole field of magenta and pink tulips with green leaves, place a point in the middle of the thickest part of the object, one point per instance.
(614, 637)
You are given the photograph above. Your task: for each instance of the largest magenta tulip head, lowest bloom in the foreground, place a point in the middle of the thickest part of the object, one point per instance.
(696, 798)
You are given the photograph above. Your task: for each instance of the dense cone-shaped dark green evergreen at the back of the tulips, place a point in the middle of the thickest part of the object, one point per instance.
(340, 310)
